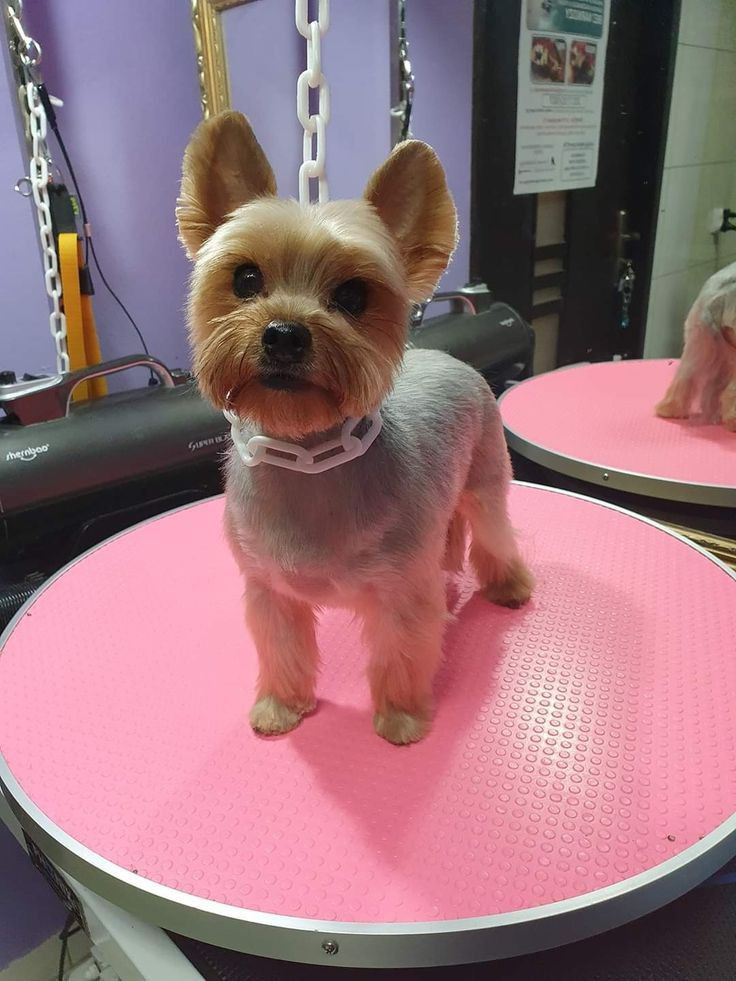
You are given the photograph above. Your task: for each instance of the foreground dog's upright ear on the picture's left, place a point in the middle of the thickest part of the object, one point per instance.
(224, 167)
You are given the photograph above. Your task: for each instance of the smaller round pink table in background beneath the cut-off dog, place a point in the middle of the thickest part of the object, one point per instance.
(596, 422)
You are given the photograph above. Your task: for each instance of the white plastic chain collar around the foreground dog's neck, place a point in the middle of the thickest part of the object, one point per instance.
(325, 456)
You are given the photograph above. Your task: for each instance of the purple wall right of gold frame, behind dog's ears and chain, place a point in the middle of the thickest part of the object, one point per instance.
(356, 54)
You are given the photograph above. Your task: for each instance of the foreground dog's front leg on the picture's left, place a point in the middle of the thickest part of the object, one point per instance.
(283, 631)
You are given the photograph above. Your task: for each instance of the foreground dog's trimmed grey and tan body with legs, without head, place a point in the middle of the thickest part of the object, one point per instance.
(375, 535)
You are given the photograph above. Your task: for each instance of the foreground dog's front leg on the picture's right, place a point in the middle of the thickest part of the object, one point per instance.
(403, 630)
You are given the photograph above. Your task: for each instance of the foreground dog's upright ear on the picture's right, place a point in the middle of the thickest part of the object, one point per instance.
(409, 191)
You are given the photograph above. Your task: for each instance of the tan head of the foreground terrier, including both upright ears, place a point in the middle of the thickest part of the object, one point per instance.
(298, 315)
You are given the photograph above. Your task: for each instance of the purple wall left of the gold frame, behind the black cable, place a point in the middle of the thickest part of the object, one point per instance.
(131, 97)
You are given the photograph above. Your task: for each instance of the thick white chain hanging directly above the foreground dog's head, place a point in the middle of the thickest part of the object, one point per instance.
(313, 166)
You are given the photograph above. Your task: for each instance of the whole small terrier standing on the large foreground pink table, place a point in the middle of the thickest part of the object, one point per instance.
(298, 320)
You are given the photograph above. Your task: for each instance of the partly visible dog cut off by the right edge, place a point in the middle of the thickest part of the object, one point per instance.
(706, 374)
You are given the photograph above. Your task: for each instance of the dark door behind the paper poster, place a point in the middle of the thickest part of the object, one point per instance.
(606, 226)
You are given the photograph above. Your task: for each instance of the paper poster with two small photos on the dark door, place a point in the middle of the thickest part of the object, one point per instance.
(562, 62)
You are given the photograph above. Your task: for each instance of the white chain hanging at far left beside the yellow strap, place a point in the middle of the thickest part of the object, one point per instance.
(29, 52)
